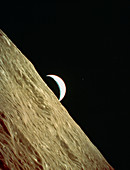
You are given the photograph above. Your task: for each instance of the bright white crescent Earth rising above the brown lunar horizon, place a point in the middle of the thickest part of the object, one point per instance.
(61, 85)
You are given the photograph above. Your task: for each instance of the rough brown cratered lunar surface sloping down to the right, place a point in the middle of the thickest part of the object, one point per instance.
(36, 131)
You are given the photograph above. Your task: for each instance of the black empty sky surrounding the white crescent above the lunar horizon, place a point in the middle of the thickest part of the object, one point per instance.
(88, 46)
